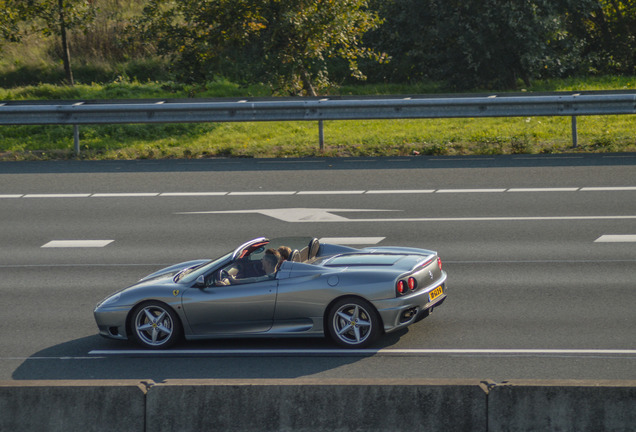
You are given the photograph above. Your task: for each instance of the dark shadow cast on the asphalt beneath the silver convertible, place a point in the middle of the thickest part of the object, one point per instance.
(94, 357)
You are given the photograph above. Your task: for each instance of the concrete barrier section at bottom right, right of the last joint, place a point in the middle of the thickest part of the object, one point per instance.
(533, 405)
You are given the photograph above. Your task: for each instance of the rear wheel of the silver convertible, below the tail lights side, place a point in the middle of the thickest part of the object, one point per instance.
(353, 323)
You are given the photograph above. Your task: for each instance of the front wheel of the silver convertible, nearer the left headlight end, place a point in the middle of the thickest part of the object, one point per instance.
(155, 325)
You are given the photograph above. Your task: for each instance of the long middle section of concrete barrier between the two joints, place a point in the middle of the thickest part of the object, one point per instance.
(317, 405)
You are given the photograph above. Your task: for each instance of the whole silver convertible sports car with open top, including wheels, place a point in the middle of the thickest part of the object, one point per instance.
(350, 295)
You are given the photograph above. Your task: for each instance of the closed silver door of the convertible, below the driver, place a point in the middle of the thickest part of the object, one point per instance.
(231, 309)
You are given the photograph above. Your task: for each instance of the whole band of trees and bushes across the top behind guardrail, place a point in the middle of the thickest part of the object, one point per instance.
(309, 46)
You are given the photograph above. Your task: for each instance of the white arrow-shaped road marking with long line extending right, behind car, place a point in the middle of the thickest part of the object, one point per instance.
(326, 215)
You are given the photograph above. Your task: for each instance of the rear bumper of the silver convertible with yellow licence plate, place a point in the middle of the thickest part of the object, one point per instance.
(400, 312)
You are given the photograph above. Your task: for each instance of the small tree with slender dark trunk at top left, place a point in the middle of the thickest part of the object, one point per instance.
(57, 17)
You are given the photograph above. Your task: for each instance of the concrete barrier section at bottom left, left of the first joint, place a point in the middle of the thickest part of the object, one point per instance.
(72, 406)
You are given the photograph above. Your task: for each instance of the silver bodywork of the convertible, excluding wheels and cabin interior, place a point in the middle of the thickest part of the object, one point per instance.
(294, 303)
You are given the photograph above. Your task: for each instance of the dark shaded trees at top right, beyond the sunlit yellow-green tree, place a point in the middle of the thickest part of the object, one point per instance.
(498, 43)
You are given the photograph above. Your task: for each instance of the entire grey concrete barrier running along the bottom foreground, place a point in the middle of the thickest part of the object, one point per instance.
(318, 405)
